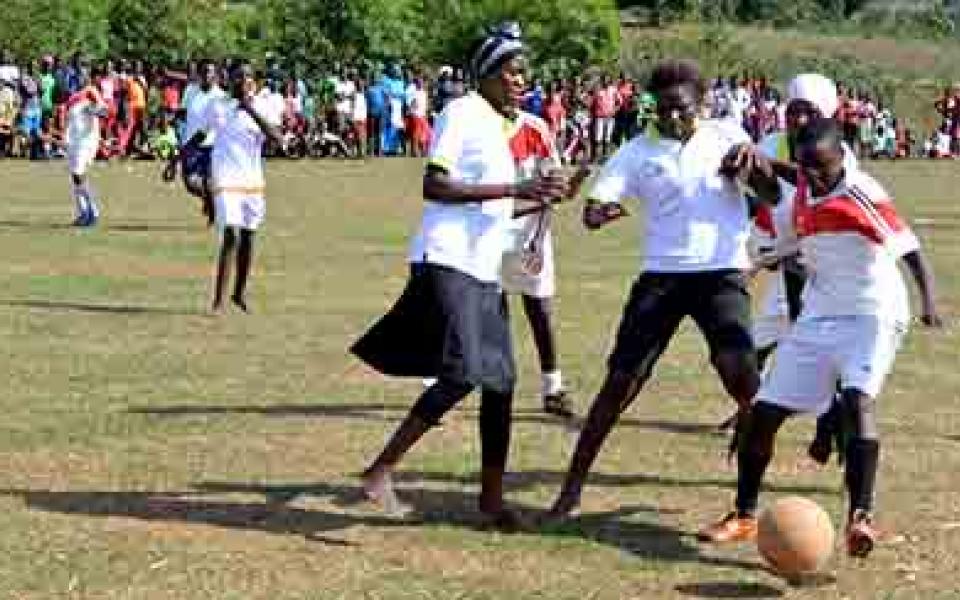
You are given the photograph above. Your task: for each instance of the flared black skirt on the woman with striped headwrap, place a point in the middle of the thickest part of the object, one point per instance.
(445, 324)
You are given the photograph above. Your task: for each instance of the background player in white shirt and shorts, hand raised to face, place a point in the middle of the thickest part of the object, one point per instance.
(240, 129)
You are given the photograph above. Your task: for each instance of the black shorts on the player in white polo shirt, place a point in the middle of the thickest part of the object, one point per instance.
(718, 301)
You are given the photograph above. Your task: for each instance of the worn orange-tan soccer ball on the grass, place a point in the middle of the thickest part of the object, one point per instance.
(795, 536)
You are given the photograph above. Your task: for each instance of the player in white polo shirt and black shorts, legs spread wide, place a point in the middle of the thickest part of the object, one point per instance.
(696, 231)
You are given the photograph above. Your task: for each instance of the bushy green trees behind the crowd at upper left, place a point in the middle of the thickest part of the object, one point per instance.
(311, 31)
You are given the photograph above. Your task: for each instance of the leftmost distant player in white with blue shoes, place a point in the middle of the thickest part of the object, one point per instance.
(85, 108)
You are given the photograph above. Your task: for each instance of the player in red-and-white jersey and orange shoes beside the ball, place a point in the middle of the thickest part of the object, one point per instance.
(855, 313)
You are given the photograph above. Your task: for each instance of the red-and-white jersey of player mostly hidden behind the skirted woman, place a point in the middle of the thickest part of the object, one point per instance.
(532, 147)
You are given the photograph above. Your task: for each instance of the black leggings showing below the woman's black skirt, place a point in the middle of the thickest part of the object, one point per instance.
(495, 416)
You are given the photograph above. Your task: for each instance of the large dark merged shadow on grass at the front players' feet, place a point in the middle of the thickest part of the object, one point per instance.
(619, 529)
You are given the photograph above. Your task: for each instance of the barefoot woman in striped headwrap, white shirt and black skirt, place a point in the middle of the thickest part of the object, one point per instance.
(451, 320)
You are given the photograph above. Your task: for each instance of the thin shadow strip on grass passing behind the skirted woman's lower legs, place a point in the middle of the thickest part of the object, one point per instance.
(393, 412)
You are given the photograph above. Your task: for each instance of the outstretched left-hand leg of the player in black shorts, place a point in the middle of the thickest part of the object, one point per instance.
(650, 319)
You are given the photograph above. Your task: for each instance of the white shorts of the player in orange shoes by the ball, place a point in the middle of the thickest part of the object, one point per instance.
(857, 351)
